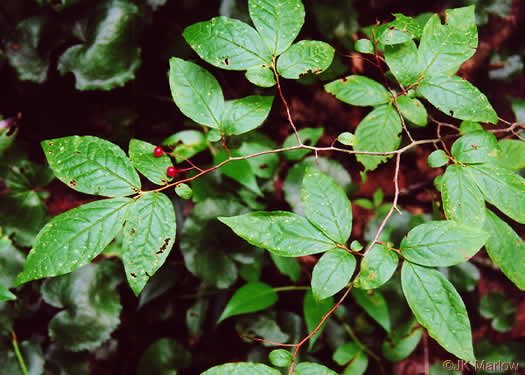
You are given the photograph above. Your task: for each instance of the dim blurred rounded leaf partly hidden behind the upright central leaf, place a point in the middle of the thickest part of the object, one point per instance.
(294, 180)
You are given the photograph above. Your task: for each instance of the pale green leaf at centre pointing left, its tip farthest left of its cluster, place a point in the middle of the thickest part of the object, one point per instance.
(282, 233)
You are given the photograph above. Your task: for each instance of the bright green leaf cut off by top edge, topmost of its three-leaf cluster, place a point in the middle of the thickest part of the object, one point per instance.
(278, 22)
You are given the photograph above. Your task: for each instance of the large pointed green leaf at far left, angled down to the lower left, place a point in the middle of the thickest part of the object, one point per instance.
(74, 238)
